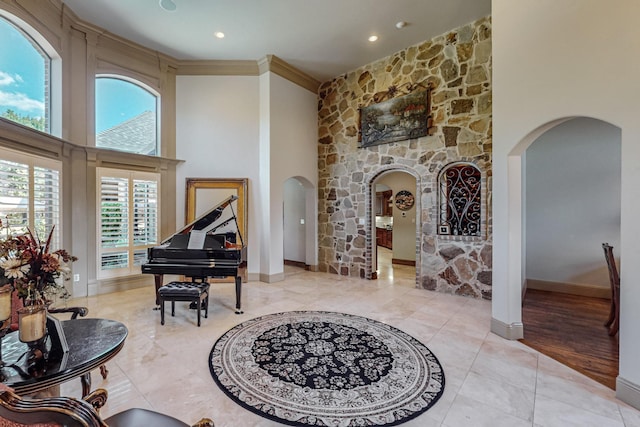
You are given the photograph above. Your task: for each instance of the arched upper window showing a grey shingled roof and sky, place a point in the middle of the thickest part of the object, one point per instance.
(126, 116)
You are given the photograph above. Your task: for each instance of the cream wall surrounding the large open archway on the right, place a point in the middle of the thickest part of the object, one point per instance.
(554, 60)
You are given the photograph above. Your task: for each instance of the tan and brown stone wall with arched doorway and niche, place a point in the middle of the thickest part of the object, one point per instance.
(457, 65)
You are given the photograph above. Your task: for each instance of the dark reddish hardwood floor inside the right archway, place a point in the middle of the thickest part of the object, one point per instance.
(570, 329)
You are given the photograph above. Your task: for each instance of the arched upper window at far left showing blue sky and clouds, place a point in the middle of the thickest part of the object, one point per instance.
(25, 78)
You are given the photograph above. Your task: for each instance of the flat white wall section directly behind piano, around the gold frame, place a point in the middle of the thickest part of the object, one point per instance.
(217, 130)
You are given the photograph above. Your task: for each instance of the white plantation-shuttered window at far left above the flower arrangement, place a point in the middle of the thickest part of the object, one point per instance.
(30, 195)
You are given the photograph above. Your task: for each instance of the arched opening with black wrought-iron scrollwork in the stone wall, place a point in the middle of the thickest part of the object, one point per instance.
(460, 186)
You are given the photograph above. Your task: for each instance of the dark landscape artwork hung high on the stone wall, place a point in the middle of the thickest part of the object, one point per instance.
(396, 119)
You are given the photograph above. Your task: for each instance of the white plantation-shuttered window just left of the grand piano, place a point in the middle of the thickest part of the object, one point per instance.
(129, 218)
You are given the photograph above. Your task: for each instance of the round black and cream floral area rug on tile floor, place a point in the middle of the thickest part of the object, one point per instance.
(326, 369)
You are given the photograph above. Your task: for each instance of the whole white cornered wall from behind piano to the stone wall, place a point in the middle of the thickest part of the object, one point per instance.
(259, 127)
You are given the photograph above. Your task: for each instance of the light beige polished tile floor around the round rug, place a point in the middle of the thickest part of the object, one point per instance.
(489, 381)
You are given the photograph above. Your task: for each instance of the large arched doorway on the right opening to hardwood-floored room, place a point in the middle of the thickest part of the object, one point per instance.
(571, 205)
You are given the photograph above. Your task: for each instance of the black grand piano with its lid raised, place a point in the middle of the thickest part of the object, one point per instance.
(206, 248)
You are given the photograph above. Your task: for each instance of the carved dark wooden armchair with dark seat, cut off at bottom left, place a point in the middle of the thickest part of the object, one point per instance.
(16, 411)
